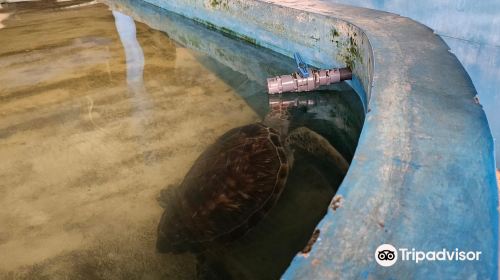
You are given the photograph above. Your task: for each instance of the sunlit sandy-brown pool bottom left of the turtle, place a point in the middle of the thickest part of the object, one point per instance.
(89, 134)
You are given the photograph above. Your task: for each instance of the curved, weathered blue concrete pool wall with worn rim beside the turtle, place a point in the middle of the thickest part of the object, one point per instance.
(423, 175)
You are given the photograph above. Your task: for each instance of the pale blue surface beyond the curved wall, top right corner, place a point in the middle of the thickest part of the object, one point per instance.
(471, 29)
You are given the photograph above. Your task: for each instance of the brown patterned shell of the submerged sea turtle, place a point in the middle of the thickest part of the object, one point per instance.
(230, 187)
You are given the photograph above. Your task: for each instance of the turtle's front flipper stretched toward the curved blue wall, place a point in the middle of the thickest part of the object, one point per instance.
(316, 145)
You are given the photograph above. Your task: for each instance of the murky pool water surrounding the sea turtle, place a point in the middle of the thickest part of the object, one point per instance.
(99, 112)
